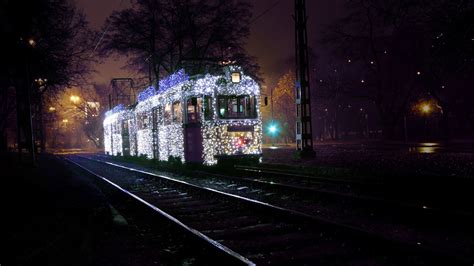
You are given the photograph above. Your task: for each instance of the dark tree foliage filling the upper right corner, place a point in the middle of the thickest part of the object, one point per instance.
(404, 49)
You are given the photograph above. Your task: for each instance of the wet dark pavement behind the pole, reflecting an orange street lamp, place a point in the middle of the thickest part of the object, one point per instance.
(384, 159)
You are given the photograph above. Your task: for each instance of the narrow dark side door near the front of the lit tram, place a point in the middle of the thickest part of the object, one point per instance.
(192, 130)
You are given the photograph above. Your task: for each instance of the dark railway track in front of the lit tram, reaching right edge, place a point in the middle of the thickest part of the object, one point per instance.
(438, 229)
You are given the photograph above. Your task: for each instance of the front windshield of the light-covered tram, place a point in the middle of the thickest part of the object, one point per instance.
(242, 106)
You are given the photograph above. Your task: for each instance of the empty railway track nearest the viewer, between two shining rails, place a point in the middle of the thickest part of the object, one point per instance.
(260, 232)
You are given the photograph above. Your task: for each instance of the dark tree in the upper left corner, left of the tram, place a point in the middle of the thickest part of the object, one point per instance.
(49, 40)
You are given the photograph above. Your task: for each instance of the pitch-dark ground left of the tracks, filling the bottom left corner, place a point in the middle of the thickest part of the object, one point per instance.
(54, 216)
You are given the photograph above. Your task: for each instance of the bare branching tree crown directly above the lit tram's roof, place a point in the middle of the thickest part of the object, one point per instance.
(164, 36)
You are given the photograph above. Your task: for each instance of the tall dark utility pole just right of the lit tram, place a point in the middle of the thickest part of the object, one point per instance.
(304, 136)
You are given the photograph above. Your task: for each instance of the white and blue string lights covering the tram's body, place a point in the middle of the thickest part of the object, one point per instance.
(156, 126)
